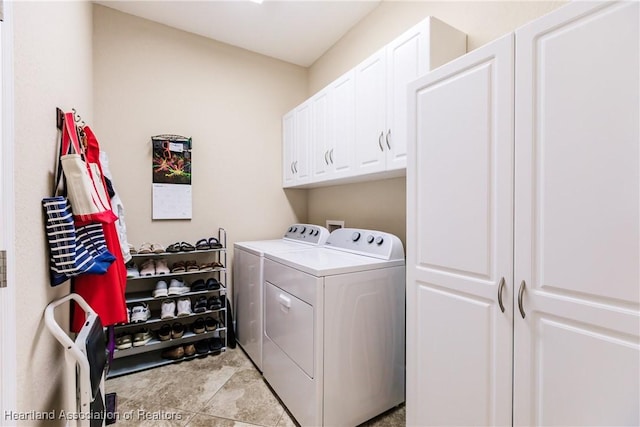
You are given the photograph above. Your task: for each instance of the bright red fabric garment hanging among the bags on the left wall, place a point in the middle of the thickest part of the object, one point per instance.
(104, 293)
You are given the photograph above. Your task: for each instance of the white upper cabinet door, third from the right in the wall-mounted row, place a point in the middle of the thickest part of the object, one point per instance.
(343, 109)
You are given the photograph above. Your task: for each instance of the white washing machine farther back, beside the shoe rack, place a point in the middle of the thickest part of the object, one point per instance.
(248, 261)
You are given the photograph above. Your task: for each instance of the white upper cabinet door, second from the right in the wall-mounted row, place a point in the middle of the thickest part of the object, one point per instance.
(370, 113)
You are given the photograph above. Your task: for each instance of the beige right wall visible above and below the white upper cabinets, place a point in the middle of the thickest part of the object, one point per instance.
(382, 205)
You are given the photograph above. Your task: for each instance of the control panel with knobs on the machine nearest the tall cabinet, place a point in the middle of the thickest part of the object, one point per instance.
(367, 242)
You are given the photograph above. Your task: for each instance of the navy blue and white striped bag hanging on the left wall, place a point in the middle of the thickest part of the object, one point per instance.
(72, 251)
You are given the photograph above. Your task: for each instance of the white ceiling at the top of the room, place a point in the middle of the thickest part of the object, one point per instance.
(296, 31)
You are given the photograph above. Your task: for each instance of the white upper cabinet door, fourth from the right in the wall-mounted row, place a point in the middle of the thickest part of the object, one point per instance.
(321, 136)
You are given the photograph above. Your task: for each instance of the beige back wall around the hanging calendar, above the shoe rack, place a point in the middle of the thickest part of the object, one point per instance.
(151, 79)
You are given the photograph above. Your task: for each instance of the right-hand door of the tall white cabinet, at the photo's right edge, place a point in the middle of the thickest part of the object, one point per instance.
(577, 260)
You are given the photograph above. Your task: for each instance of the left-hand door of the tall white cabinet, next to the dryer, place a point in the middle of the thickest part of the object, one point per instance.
(460, 241)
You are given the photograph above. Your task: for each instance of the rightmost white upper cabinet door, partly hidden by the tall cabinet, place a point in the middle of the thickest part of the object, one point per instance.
(407, 59)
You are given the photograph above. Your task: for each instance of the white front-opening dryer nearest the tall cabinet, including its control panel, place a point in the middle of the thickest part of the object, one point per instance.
(334, 341)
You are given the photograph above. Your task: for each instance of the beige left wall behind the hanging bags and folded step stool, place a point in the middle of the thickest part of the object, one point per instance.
(52, 68)
